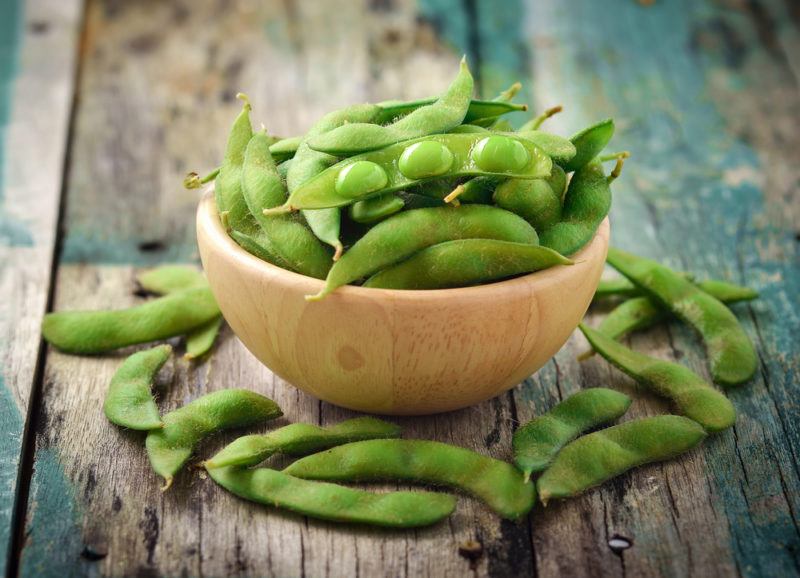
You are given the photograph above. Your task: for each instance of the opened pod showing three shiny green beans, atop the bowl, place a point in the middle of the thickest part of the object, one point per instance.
(406, 164)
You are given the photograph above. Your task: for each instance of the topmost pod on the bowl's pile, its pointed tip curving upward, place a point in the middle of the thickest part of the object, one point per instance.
(447, 112)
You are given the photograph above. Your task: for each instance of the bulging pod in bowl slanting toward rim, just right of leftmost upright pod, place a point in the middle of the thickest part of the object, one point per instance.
(290, 239)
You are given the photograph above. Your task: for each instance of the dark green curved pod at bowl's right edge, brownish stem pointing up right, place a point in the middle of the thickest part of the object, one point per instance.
(586, 204)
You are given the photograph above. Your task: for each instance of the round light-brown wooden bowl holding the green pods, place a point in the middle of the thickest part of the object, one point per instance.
(397, 352)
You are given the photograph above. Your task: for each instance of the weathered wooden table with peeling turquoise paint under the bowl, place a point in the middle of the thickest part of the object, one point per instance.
(106, 106)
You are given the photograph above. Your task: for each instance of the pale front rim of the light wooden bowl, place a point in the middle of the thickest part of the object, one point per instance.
(208, 221)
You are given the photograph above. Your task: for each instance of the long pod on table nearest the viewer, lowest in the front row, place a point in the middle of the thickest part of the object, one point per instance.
(335, 503)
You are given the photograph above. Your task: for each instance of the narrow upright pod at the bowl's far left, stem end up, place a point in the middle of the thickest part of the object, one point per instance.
(228, 186)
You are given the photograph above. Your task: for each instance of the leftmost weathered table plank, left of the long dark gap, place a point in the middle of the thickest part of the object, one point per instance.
(38, 46)
